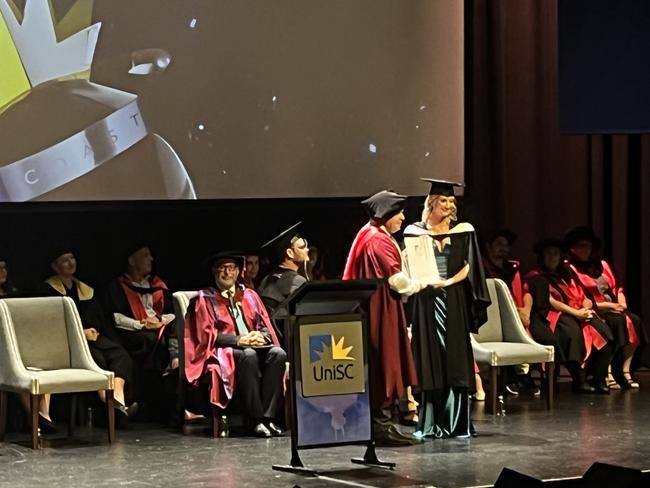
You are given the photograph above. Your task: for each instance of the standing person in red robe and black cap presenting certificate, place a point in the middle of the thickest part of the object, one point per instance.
(376, 255)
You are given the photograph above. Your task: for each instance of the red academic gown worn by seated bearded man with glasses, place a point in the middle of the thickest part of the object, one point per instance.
(208, 317)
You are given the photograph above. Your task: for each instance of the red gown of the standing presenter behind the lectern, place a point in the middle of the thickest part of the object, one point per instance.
(375, 255)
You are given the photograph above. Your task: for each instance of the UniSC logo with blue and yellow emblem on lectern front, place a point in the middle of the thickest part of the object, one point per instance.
(330, 359)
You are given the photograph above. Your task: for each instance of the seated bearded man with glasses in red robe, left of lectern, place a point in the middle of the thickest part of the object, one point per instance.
(231, 347)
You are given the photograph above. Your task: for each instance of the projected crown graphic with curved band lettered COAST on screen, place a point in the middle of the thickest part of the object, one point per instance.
(46, 70)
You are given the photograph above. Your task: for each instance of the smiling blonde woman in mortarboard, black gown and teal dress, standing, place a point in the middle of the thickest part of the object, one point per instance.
(443, 316)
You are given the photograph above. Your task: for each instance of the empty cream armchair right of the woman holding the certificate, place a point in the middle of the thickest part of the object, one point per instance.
(503, 341)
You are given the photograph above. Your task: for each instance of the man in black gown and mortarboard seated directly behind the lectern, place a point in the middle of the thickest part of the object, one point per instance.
(289, 252)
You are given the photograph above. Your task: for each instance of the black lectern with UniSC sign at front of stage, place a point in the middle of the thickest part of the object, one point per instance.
(329, 390)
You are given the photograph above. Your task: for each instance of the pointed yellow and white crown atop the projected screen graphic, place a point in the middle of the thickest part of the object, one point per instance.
(35, 47)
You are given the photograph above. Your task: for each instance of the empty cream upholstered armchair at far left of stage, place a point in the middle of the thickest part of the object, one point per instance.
(43, 350)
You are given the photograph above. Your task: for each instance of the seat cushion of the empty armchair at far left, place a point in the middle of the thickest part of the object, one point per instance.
(68, 381)
